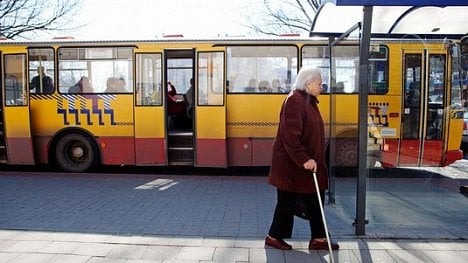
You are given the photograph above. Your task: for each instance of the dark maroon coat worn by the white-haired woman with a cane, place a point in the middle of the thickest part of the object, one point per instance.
(300, 137)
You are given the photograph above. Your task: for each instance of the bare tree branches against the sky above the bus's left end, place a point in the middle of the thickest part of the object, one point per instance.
(28, 18)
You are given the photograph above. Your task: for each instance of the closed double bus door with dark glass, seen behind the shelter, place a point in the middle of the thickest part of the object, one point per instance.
(424, 92)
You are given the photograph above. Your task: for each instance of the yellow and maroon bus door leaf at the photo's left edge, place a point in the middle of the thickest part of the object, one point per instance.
(15, 133)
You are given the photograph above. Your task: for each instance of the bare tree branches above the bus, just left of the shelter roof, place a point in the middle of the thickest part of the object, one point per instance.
(284, 16)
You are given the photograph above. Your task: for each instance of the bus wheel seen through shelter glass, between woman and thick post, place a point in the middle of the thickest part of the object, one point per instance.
(346, 158)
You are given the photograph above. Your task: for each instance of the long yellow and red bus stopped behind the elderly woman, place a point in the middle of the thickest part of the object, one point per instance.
(81, 104)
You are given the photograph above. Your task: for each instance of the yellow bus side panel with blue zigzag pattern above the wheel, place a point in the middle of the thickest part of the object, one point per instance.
(108, 115)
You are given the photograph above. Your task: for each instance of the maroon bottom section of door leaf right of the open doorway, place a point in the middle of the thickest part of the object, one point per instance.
(211, 152)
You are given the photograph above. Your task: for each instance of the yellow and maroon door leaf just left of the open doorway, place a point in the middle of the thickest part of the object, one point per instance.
(149, 111)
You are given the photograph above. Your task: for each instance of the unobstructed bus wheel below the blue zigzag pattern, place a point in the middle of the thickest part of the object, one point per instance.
(75, 153)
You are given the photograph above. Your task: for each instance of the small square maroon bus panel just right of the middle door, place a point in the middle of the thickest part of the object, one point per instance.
(239, 152)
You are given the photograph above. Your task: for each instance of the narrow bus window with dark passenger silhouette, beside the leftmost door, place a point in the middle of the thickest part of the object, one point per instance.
(41, 70)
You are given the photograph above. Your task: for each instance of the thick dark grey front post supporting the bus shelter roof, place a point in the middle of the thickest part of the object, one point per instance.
(363, 121)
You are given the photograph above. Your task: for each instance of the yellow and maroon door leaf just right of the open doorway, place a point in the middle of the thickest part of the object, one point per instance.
(210, 109)
